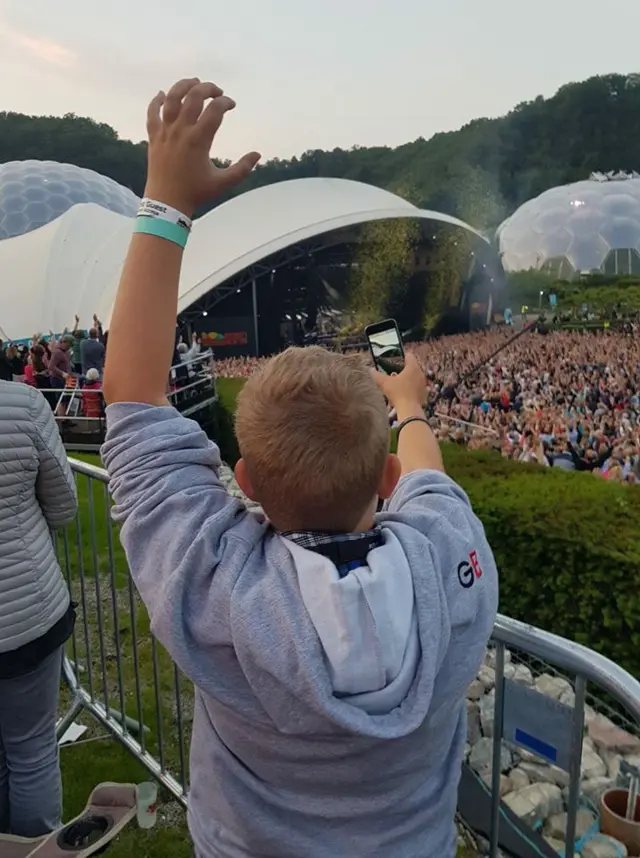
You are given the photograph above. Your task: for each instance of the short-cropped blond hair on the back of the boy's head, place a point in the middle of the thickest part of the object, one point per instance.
(313, 431)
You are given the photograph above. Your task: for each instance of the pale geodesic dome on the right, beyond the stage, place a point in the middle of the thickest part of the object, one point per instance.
(573, 227)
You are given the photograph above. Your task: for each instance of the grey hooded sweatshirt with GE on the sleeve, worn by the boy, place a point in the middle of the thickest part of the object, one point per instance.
(330, 714)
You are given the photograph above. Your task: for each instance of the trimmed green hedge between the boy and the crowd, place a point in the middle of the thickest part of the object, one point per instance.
(567, 545)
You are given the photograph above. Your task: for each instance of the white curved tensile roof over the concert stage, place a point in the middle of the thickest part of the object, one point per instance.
(73, 264)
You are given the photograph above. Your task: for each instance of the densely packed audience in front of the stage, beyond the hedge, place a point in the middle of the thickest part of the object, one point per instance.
(566, 399)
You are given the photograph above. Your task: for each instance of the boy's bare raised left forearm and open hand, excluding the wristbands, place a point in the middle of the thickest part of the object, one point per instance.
(181, 127)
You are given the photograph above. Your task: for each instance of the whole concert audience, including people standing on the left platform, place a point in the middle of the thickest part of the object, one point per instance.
(566, 399)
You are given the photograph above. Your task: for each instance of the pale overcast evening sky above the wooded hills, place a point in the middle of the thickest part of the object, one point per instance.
(309, 75)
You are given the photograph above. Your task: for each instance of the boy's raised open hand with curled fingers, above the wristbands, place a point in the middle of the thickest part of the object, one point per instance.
(181, 131)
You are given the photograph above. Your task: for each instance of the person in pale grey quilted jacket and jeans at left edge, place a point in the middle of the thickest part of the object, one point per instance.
(37, 493)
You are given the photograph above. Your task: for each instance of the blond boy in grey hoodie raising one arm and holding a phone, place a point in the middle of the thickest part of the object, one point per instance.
(330, 647)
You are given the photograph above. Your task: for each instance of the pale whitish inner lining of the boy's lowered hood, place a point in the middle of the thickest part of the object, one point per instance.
(365, 621)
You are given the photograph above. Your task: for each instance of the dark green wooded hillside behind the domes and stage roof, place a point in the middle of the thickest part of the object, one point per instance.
(479, 173)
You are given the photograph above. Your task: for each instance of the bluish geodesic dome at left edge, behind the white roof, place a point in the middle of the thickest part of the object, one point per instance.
(33, 193)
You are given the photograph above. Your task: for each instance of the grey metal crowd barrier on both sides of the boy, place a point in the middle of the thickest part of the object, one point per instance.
(117, 673)
